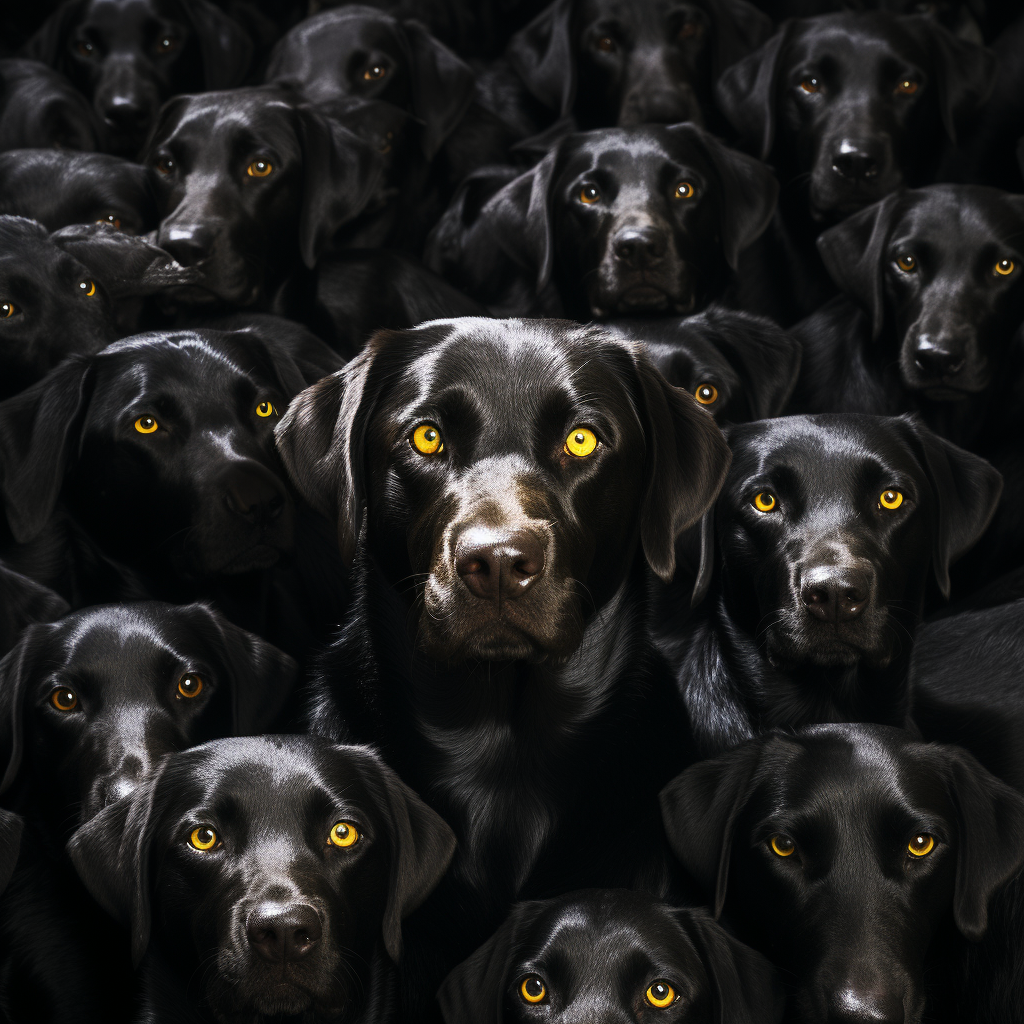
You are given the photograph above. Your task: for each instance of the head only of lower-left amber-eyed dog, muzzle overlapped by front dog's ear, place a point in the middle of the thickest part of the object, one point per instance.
(92, 703)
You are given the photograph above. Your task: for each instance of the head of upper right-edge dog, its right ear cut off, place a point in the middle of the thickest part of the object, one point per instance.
(943, 269)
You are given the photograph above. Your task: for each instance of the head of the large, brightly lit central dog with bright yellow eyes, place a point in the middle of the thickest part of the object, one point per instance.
(510, 470)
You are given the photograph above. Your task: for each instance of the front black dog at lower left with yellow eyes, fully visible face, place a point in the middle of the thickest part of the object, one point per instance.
(267, 877)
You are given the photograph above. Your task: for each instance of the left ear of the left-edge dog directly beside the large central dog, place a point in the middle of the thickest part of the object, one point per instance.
(38, 431)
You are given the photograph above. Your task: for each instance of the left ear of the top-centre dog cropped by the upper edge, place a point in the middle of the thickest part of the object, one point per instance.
(542, 56)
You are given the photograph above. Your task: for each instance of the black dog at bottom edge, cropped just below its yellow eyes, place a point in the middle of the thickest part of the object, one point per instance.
(611, 955)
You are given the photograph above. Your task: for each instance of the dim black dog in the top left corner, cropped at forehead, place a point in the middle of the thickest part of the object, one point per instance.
(129, 59)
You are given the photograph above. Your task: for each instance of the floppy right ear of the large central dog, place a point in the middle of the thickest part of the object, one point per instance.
(686, 465)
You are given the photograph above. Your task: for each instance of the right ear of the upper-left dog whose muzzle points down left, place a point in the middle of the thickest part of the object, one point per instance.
(342, 174)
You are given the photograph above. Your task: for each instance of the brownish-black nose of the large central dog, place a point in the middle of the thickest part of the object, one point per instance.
(495, 565)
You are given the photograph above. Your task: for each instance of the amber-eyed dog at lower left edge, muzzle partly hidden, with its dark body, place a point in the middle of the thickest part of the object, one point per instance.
(89, 707)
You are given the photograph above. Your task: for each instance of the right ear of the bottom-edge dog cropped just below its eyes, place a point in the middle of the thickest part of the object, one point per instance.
(746, 988)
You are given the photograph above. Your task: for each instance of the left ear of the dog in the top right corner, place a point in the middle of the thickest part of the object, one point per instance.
(746, 94)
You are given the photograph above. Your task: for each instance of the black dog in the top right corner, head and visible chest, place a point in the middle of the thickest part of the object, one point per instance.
(847, 108)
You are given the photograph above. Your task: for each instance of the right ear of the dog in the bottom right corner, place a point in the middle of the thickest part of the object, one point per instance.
(991, 839)
